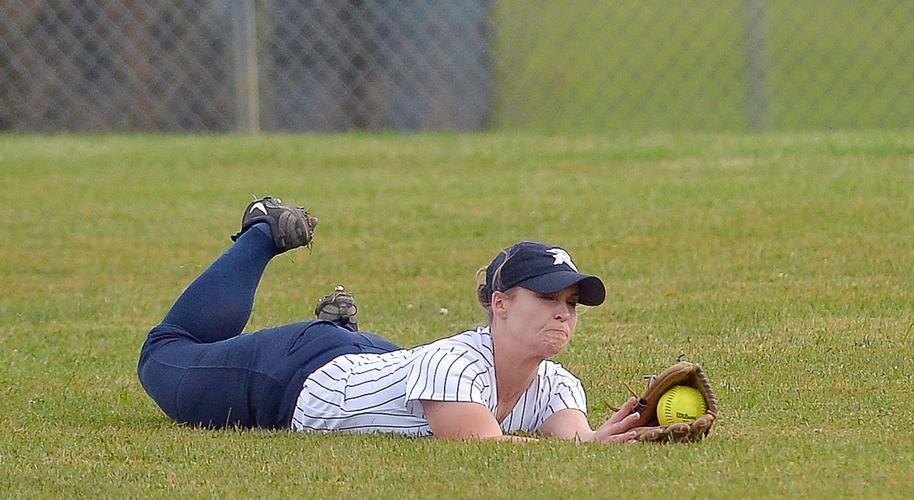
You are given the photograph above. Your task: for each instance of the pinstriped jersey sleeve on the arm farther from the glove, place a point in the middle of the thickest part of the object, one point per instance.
(447, 375)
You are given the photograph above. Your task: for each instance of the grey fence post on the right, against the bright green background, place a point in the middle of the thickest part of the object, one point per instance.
(757, 66)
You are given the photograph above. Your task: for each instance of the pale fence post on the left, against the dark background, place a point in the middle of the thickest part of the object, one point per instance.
(244, 49)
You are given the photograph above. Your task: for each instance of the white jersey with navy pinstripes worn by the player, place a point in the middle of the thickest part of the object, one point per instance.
(380, 393)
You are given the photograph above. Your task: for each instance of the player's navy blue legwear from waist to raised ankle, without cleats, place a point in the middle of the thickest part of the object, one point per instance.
(201, 370)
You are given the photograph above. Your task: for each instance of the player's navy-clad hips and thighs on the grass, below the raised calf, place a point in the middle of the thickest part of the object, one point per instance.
(250, 380)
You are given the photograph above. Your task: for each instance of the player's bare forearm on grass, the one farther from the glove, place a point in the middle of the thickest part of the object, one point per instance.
(457, 420)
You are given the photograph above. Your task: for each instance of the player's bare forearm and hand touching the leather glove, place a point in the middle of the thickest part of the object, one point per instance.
(572, 424)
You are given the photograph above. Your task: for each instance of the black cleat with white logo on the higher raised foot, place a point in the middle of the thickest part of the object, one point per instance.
(292, 227)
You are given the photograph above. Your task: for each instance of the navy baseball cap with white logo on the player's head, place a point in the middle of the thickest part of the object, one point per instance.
(541, 268)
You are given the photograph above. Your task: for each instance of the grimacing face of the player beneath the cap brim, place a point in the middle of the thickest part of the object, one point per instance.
(544, 322)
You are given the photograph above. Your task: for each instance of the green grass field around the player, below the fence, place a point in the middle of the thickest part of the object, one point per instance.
(784, 264)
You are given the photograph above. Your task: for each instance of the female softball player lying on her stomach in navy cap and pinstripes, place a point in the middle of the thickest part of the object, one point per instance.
(323, 376)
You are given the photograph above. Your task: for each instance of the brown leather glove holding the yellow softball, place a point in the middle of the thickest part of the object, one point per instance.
(648, 427)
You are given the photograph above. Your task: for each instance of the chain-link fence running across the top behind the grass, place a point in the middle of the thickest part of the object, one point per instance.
(578, 65)
